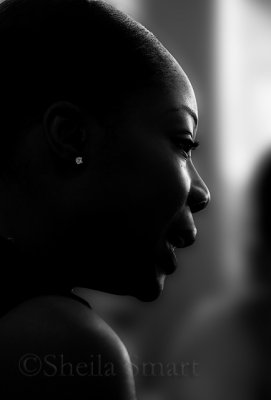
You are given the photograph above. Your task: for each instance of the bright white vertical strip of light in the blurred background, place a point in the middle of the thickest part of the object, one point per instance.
(243, 92)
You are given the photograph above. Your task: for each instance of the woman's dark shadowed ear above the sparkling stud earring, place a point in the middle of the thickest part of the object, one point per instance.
(65, 130)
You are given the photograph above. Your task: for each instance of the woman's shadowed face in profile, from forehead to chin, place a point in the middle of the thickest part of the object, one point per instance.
(146, 191)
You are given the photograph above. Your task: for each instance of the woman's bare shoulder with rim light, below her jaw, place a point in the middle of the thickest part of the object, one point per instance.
(65, 339)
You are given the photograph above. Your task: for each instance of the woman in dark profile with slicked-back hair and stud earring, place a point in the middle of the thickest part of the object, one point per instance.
(98, 187)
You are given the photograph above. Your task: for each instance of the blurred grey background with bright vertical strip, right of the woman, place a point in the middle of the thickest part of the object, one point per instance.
(215, 308)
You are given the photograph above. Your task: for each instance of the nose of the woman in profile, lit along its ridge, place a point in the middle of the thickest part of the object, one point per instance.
(199, 195)
